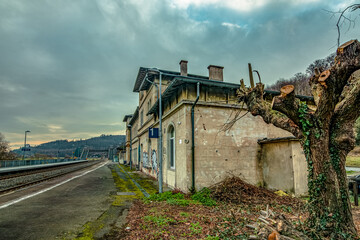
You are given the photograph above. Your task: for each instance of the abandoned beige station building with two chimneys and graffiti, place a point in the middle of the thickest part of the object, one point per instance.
(257, 152)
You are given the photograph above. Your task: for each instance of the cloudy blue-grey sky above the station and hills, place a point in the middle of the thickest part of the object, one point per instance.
(67, 68)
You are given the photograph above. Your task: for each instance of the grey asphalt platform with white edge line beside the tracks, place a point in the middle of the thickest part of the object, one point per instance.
(62, 209)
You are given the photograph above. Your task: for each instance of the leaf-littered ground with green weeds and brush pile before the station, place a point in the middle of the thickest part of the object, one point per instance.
(239, 214)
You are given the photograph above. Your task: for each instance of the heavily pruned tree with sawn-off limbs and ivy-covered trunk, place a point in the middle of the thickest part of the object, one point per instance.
(326, 134)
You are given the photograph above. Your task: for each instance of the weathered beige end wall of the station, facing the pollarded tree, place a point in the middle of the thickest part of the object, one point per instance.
(235, 152)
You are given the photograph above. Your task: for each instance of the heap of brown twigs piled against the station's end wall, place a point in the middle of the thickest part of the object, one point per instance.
(235, 190)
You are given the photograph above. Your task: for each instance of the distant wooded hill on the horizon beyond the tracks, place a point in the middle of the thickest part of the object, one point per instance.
(65, 148)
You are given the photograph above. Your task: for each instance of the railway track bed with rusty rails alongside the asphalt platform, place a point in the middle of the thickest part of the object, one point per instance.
(17, 181)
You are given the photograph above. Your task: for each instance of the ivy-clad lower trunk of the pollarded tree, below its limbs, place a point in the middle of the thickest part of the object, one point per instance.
(329, 203)
